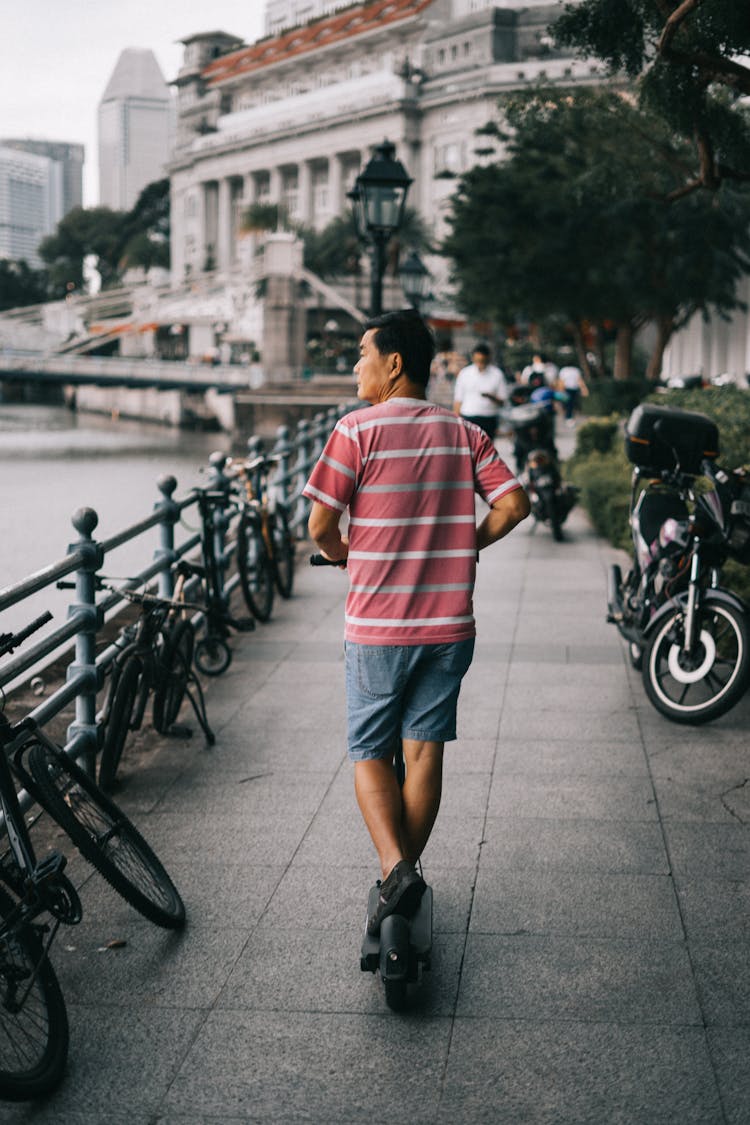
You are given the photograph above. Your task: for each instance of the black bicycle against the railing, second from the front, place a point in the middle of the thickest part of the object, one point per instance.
(156, 660)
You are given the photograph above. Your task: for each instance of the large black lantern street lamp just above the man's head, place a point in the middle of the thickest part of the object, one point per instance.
(379, 197)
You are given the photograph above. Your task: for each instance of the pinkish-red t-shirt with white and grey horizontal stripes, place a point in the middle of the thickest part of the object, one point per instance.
(409, 472)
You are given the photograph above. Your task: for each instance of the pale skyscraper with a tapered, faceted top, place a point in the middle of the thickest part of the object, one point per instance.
(134, 129)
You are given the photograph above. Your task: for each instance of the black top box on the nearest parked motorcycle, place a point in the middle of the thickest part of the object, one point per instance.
(662, 438)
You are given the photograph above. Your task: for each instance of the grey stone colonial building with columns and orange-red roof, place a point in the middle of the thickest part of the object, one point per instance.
(294, 118)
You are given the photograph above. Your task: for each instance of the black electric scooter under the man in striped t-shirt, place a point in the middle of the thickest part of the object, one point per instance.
(403, 948)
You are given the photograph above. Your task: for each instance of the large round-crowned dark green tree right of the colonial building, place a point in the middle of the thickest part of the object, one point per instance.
(575, 223)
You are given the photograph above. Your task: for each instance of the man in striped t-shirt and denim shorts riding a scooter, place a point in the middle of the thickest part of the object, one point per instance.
(408, 472)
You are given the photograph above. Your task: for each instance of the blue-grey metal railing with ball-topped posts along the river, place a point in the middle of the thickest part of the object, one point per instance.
(295, 455)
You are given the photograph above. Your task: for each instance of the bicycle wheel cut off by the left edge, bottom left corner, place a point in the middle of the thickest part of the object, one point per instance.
(34, 1033)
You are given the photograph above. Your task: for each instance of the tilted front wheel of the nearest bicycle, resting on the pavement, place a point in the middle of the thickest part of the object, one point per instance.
(105, 836)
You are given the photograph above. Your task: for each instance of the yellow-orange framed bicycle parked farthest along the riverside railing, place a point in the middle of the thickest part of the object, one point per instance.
(266, 546)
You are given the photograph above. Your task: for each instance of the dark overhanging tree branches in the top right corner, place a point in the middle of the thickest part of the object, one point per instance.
(686, 57)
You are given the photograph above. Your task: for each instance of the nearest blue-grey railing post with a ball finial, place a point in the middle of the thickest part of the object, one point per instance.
(83, 736)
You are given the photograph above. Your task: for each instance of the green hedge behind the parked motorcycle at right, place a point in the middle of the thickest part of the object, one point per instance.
(603, 473)
